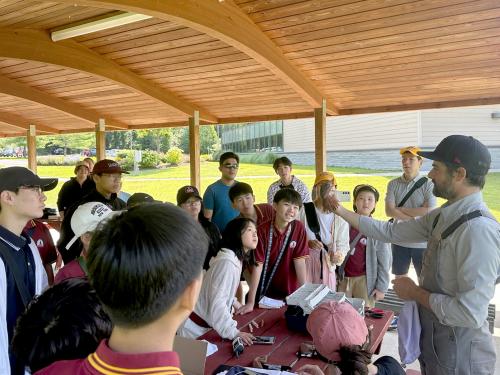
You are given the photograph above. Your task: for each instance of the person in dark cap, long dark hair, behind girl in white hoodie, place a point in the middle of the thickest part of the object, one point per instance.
(189, 199)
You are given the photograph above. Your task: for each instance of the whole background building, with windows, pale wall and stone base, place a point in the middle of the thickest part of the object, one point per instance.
(369, 141)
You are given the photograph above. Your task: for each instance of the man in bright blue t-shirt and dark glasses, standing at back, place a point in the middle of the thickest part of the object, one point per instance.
(217, 205)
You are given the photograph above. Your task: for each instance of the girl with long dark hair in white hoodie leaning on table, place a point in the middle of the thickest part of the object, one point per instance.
(217, 295)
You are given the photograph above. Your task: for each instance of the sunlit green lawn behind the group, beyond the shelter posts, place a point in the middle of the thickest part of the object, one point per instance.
(260, 176)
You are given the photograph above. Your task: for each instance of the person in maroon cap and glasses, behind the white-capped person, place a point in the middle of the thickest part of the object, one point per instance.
(107, 175)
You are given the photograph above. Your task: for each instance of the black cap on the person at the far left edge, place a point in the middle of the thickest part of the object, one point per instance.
(12, 178)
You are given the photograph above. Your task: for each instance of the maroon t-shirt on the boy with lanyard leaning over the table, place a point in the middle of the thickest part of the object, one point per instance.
(285, 280)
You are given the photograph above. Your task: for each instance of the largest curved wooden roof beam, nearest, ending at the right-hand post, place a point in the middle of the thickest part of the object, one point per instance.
(223, 20)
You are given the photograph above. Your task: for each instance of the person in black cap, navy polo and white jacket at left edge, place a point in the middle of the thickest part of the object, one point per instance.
(22, 275)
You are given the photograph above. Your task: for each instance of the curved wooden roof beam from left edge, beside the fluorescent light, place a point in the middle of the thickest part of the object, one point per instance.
(35, 45)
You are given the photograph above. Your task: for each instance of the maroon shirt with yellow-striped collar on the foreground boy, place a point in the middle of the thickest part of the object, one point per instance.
(106, 361)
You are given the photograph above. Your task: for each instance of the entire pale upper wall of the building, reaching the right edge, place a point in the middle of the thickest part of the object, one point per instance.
(395, 130)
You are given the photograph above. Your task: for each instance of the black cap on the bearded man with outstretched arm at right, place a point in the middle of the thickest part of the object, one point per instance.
(463, 151)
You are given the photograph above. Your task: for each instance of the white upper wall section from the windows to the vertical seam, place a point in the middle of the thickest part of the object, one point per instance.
(357, 132)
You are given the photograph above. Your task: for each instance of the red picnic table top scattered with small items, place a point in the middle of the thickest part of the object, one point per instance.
(284, 350)
